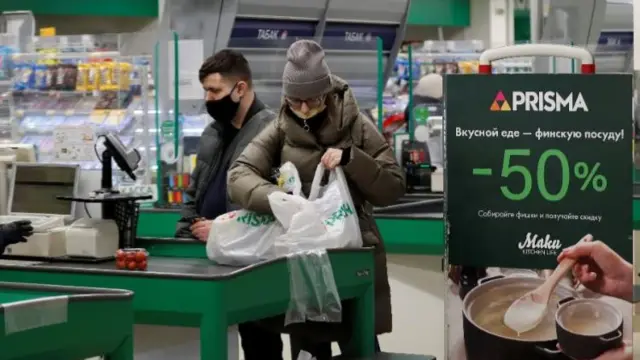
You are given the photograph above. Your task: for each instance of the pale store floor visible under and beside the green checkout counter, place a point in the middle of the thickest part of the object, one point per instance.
(417, 286)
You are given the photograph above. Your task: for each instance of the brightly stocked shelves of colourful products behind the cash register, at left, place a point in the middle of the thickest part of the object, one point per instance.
(79, 87)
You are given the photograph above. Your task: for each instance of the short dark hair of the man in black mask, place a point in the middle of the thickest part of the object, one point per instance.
(228, 63)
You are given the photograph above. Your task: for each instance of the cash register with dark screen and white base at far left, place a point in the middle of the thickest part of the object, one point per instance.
(33, 190)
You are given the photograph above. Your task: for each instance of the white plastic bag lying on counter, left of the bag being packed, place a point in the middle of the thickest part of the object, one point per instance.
(243, 238)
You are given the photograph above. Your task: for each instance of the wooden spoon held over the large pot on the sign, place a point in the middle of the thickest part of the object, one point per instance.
(529, 310)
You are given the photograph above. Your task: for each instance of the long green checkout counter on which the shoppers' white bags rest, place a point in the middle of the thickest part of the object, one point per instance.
(192, 292)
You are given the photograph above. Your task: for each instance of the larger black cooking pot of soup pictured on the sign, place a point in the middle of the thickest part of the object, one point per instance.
(485, 335)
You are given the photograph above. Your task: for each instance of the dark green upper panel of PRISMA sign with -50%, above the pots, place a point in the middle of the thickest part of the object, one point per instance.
(534, 163)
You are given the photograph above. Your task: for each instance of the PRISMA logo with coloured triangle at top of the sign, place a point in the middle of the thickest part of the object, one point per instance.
(539, 101)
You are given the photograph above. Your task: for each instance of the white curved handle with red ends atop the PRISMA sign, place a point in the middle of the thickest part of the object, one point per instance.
(586, 58)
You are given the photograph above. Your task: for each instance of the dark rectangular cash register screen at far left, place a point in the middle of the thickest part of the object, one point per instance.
(34, 188)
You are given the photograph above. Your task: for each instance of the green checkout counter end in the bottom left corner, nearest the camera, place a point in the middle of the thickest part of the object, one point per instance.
(43, 322)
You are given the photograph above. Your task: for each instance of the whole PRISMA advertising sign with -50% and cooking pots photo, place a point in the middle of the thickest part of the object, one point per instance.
(534, 165)
